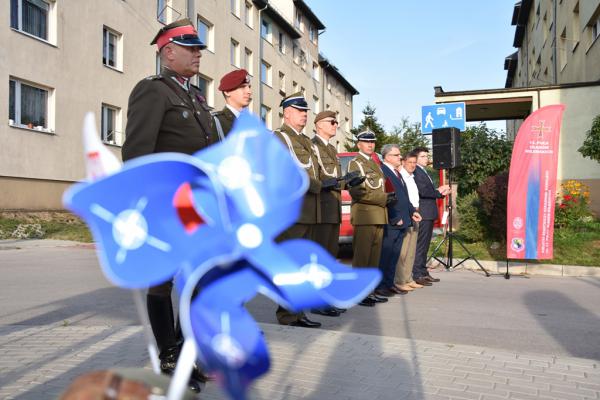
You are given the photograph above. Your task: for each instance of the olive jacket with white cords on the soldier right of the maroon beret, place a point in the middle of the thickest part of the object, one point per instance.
(302, 150)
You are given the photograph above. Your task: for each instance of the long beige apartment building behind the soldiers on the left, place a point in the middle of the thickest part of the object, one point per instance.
(63, 58)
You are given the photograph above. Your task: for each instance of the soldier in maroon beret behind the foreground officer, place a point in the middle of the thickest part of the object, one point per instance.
(237, 91)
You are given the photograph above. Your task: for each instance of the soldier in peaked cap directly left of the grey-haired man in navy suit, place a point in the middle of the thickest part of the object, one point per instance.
(368, 213)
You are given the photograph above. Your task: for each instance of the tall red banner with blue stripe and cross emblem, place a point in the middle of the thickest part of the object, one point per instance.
(532, 186)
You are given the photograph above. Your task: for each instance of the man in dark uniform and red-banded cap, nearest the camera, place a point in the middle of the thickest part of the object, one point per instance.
(168, 114)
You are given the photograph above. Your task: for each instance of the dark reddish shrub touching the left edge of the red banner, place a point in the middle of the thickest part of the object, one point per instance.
(492, 194)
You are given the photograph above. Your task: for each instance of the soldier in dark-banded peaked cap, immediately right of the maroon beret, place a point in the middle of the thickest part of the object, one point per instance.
(295, 110)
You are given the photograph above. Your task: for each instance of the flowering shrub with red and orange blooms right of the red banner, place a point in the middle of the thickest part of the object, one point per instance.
(572, 204)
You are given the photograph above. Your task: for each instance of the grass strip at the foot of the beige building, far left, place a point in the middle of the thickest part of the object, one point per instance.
(59, 225)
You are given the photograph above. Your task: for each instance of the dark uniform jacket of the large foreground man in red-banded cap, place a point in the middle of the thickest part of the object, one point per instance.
(164, 117)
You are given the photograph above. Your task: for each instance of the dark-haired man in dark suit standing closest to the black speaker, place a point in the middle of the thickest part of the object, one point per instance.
(428, 195)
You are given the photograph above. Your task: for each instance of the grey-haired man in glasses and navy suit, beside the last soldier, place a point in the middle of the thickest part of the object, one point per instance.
(401, 213)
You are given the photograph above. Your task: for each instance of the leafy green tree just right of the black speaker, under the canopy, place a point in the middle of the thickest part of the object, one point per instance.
(484, 153)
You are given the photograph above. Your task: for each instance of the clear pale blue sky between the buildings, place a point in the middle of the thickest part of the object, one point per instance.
(395, 51)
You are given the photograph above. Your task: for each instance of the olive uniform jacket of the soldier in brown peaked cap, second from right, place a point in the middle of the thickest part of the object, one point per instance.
(329, 167)
